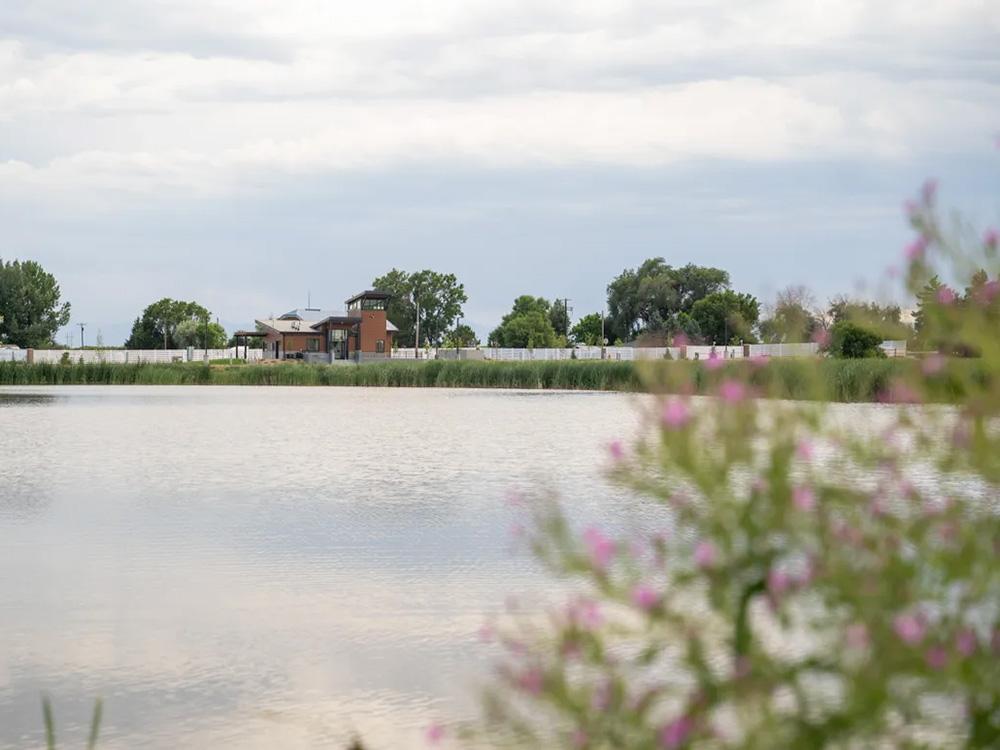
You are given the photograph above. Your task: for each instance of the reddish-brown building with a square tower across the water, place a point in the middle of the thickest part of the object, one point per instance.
(361, 331)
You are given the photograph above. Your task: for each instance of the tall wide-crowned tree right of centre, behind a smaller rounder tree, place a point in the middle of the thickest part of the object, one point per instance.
(653, 297)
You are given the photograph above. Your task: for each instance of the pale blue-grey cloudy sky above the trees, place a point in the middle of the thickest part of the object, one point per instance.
(254, 155)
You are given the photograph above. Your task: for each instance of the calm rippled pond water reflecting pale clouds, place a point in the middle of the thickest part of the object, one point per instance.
(271, 567)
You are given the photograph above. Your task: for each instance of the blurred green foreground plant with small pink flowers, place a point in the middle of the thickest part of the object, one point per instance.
(817, 582)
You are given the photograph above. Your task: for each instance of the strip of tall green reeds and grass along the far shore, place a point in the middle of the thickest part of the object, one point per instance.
(839, 380)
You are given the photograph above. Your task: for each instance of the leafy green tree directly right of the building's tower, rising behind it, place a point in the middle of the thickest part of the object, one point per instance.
(439, 296)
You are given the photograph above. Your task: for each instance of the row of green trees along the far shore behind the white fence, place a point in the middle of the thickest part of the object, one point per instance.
(654, 304)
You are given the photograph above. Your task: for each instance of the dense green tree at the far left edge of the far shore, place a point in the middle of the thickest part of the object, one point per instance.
(30, 309)
